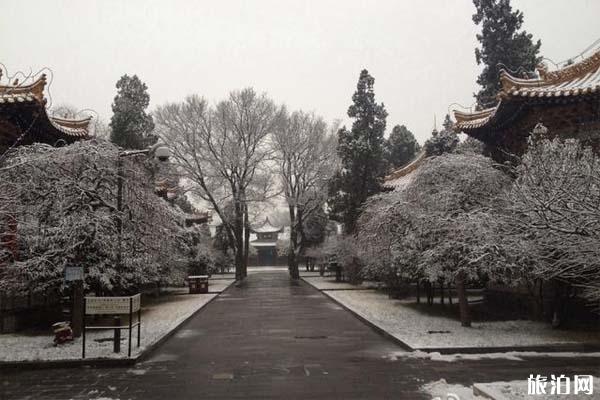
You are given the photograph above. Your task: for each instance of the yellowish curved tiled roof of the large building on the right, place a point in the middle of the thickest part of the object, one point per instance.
(579, 79)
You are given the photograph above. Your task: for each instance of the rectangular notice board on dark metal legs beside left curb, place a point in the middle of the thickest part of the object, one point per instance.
(113, 306)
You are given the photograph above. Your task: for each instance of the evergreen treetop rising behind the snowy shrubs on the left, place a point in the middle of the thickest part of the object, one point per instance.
(130, 126)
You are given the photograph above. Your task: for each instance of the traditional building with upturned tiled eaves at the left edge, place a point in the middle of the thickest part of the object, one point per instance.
(24, 119)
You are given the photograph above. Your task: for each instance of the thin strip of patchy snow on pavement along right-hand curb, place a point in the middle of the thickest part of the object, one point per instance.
(511, 355)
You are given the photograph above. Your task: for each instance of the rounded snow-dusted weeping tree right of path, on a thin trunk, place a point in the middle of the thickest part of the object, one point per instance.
(437, 227)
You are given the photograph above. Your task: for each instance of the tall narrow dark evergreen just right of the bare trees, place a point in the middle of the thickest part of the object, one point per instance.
(361, 152)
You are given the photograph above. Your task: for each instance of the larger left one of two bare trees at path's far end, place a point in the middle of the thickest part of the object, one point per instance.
(221, 152)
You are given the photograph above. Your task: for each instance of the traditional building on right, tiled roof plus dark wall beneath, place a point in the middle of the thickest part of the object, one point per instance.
(566, 101)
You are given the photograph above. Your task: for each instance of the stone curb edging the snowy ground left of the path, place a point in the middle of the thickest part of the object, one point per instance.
(105, 362)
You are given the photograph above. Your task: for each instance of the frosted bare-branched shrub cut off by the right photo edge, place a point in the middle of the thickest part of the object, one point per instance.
(553, 219)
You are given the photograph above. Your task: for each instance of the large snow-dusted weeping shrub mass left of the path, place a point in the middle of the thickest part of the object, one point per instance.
(65, 203)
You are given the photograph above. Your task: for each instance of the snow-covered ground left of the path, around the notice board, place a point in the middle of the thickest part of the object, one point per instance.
(158, 319)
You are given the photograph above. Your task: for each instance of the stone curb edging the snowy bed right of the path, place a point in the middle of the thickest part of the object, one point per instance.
(577, 348)
